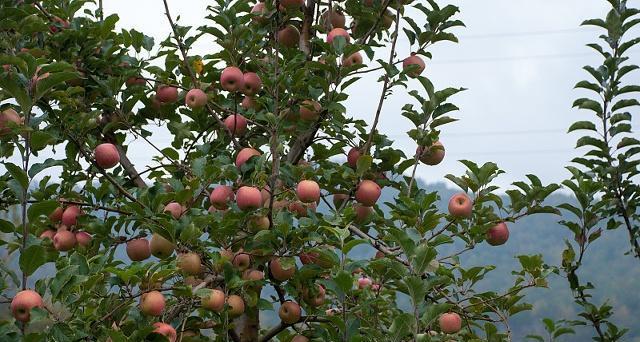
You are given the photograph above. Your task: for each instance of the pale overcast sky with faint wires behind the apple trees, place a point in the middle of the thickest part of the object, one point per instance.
(519, 59)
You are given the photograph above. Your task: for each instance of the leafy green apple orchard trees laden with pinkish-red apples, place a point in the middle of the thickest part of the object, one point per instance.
(269, 183)
